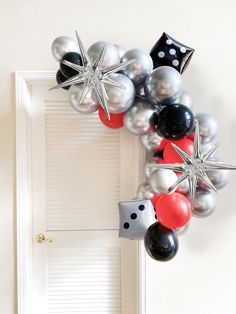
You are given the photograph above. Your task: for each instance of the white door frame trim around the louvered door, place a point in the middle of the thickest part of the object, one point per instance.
(24, 80)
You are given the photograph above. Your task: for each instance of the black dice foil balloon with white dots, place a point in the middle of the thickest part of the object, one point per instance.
(168, 51)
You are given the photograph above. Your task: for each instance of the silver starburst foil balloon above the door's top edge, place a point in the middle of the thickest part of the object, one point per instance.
(93, 75)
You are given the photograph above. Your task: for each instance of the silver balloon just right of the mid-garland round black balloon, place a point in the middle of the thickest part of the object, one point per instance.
(208, 127)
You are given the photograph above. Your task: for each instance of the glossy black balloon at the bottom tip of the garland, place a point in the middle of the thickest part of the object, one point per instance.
(160, 242)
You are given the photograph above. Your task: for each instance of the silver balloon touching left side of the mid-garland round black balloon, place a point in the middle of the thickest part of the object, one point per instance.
(137, 118)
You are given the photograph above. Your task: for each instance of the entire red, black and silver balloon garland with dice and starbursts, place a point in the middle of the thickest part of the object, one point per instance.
(144, 93)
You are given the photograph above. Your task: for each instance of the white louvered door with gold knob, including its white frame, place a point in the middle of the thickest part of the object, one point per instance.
(77, 170)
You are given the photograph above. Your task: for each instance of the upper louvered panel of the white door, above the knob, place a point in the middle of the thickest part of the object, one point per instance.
(82, 170)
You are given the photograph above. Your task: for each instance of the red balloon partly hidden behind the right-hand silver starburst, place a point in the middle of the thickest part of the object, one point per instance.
(171, 156)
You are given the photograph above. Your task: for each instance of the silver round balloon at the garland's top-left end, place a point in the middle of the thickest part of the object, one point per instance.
(61, 45)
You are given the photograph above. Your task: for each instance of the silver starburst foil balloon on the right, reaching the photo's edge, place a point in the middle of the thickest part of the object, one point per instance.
(194, 167)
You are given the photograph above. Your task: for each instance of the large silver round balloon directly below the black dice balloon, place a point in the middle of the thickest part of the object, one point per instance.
(163, 85)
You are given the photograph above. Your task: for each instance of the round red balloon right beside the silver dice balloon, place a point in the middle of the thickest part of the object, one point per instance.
(173, 210)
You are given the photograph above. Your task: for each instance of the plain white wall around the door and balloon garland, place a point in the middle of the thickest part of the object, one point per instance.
(201, 279)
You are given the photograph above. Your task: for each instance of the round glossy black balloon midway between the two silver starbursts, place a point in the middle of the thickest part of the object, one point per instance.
(174, 122)
